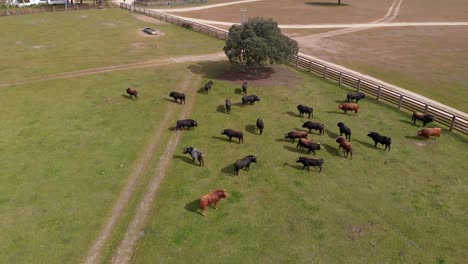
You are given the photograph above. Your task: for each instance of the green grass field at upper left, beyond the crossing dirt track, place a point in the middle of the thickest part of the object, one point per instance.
(44, 44)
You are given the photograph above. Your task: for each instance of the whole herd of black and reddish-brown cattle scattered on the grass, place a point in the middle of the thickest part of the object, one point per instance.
(344, 143)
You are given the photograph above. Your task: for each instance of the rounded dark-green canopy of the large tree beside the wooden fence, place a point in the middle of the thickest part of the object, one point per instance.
(258, 41)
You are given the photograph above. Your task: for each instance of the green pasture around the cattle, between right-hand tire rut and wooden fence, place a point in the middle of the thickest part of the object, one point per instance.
(406, 205)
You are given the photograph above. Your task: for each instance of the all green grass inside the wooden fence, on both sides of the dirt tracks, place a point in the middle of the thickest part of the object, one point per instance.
(68, 147)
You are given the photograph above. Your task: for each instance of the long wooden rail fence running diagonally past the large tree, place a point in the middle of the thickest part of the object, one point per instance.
(452, 120)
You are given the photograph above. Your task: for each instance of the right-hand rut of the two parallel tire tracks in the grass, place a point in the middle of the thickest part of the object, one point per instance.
(126, 248)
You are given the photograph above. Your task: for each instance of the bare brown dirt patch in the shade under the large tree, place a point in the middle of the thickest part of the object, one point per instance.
(261, 76)
